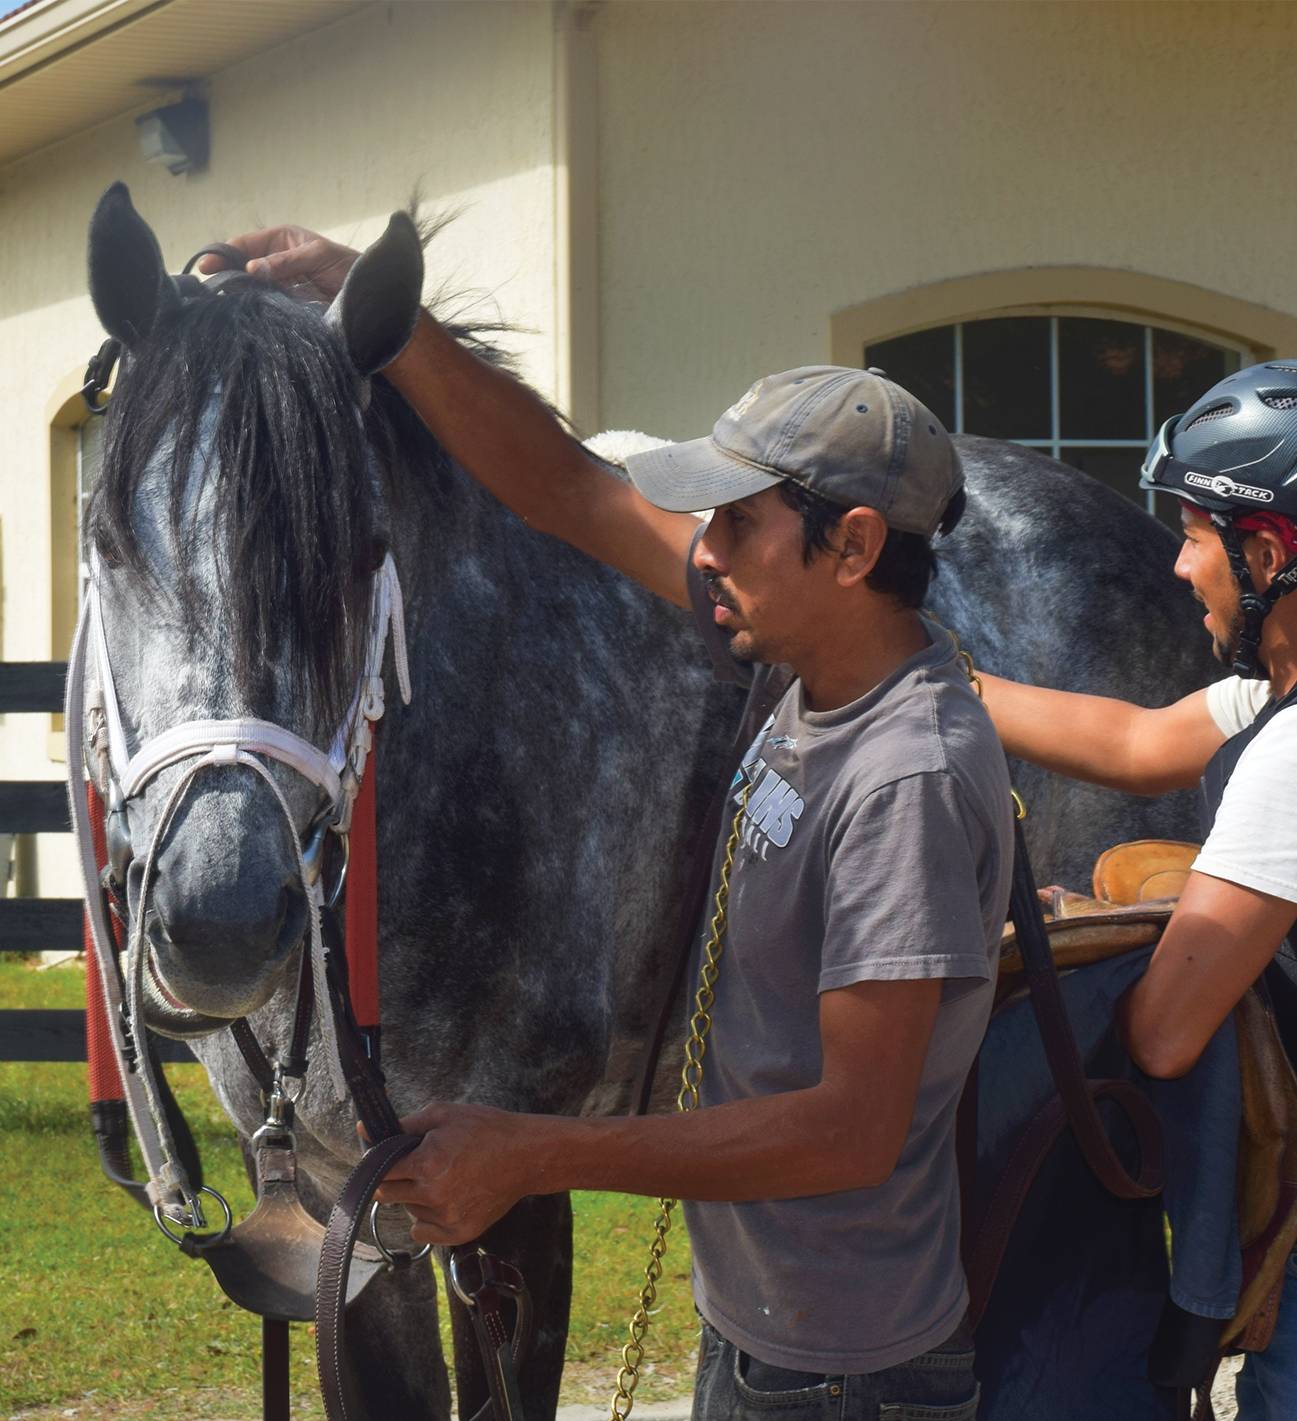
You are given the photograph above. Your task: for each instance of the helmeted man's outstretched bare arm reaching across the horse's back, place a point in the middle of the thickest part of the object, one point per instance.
(1107, 742)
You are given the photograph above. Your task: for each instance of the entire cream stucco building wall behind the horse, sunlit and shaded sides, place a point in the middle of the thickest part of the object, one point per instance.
(671, 197)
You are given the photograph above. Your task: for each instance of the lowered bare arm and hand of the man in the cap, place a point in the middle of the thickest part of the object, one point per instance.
(839, 1135)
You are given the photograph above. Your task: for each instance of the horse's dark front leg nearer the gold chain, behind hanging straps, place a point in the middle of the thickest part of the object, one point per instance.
(538, 1238)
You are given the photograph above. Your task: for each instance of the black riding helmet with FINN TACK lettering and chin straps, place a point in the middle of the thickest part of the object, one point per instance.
(1232, 454)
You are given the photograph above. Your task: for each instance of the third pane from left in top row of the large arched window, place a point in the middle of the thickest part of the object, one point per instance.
(1102, 377)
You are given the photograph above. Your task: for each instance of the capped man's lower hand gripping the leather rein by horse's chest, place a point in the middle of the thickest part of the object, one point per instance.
(470, 1172)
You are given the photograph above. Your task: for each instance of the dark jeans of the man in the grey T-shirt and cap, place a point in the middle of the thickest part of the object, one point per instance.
(938, 1386)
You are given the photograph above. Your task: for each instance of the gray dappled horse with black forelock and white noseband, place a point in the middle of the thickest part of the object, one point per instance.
(563, 737)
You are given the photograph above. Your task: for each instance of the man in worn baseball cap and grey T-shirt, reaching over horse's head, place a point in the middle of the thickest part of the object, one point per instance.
(872, 846)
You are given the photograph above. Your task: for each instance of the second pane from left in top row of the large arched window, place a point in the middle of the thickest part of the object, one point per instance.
(1006, 377)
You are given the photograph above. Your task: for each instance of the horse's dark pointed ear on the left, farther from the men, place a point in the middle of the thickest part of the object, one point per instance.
(129, 279)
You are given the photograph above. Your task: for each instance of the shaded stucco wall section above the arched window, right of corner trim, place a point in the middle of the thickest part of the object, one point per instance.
(766, 166)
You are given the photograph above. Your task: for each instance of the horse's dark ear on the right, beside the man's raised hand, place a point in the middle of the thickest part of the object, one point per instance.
(377, 309)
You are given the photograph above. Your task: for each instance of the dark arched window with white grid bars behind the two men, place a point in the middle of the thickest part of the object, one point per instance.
(1090, 391)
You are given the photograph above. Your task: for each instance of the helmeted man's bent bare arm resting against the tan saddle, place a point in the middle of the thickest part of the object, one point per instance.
(1217, 946)
